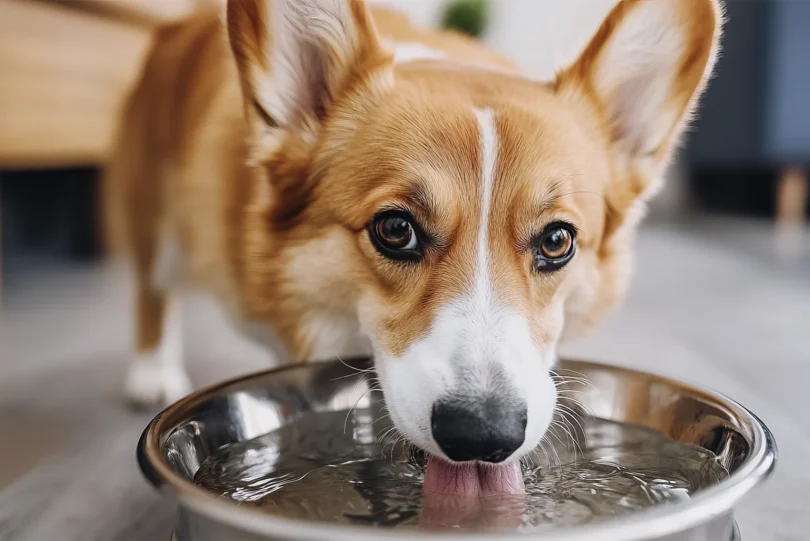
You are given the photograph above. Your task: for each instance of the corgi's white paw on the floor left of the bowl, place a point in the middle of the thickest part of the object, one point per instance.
(151, 382)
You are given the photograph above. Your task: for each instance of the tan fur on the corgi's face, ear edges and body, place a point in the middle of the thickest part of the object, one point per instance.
(273, 218)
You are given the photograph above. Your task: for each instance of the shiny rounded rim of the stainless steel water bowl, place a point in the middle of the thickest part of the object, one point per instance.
(658, 521)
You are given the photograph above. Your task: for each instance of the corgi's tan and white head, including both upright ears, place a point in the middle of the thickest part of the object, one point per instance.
(465, 218)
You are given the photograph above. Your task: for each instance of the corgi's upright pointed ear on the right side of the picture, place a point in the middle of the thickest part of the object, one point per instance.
(644, 69)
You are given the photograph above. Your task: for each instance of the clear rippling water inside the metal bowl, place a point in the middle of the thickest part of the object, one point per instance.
(315, 470)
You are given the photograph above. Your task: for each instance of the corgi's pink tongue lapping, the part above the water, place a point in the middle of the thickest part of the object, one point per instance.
(472, 479)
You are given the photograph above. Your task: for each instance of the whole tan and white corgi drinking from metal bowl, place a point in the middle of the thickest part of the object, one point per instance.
(347, 184)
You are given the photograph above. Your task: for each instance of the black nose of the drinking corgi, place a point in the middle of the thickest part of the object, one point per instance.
(488, 430)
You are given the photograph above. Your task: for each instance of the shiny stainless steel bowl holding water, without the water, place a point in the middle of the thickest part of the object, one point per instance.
(178, 440)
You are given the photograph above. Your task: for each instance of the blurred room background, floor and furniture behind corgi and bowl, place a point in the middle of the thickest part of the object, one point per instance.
(721, 297)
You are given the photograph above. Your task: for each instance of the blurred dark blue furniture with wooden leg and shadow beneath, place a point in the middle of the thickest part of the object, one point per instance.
(750, 148)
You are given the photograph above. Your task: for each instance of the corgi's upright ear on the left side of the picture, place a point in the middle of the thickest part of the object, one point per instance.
(296, 57)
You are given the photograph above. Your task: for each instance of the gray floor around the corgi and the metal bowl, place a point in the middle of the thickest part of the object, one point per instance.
(710, 304)
